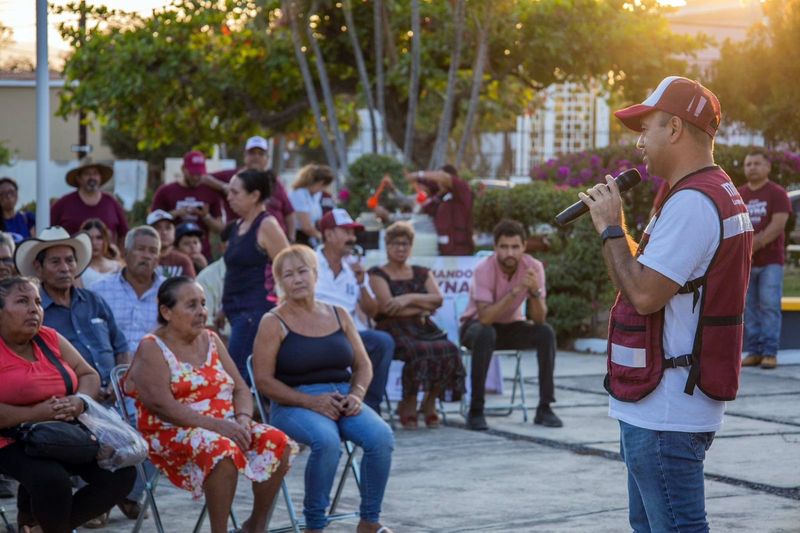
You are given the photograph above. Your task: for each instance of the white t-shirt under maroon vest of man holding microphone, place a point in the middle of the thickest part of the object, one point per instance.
(682, 243)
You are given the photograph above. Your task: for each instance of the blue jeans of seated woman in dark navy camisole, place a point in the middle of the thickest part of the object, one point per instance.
(324, 436)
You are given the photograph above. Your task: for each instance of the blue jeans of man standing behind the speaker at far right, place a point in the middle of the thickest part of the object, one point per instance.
(762, 312)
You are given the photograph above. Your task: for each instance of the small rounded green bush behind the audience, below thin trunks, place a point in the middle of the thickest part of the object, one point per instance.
(364, 176)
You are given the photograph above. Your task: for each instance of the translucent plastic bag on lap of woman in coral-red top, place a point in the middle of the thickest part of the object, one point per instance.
(120, 444)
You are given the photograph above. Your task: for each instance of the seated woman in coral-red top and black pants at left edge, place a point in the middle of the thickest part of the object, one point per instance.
(34, 390)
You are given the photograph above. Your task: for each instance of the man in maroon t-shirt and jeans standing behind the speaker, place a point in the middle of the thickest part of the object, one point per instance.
(769, 208)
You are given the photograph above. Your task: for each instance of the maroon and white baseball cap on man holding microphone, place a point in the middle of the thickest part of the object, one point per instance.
(681, 97)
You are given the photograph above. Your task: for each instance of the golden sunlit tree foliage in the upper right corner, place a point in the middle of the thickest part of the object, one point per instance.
(756, 79)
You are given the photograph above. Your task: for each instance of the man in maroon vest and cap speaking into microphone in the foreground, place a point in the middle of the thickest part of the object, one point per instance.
(675, 331)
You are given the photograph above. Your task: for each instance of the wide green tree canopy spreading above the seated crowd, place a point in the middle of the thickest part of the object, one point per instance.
(200, 72)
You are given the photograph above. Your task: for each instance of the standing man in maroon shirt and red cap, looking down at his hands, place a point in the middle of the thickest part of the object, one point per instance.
(189, 200)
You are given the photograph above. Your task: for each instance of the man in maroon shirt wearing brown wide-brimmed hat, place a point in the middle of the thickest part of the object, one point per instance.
(90, 202)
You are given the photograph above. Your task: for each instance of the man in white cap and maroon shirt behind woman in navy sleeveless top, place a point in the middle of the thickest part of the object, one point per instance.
(256, 157)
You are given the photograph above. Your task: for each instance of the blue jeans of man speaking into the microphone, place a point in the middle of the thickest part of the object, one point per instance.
(665, 479)
